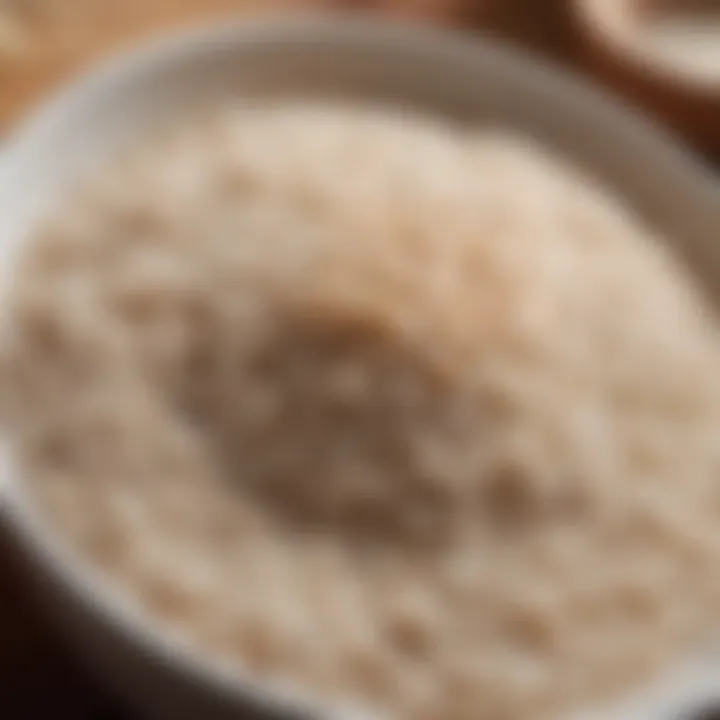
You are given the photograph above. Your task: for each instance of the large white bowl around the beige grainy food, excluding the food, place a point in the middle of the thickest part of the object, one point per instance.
(471, 79)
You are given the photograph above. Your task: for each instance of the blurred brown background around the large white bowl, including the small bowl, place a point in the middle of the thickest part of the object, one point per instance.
(661, 56)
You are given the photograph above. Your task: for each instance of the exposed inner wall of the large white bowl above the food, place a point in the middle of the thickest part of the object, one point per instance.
(474, 82)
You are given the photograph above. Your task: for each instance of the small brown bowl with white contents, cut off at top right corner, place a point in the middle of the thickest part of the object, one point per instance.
(657, 54)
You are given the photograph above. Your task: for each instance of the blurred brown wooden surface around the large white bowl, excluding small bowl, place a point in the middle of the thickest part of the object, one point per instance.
(38, 676)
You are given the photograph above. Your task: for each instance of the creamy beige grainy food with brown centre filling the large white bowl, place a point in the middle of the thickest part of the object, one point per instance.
(392, 412)
